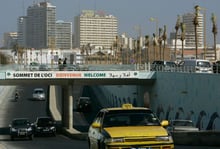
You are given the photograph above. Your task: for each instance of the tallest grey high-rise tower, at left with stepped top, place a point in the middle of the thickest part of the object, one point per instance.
(41, 26)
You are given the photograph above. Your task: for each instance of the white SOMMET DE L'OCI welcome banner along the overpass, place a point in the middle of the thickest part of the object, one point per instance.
(70, 74)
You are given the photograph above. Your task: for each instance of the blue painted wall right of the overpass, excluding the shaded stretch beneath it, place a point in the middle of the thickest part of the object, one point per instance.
(188, 96)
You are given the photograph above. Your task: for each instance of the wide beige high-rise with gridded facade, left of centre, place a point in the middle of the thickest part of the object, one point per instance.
(95, 28)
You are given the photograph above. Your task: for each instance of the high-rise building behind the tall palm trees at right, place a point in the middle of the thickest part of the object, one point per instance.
(190, 30)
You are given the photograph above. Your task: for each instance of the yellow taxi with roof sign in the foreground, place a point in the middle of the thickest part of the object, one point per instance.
(128, 127)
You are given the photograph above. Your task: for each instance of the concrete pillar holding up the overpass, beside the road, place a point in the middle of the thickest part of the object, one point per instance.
(67, 110)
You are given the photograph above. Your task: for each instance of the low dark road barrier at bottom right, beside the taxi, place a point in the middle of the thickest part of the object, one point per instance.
(200, 138)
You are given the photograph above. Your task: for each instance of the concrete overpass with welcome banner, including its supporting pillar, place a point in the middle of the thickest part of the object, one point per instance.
(69, 79)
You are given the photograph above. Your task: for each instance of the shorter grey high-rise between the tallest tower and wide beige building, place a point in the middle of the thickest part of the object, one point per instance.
(63, 35)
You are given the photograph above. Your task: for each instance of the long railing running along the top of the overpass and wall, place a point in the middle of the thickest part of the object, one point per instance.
(109, 67)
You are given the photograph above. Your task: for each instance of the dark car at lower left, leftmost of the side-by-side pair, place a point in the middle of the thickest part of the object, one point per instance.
(21, 128)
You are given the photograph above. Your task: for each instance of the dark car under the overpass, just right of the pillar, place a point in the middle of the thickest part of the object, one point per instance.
(84, 104)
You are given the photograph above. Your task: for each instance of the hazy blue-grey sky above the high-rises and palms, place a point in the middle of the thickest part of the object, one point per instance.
(131, 14)
